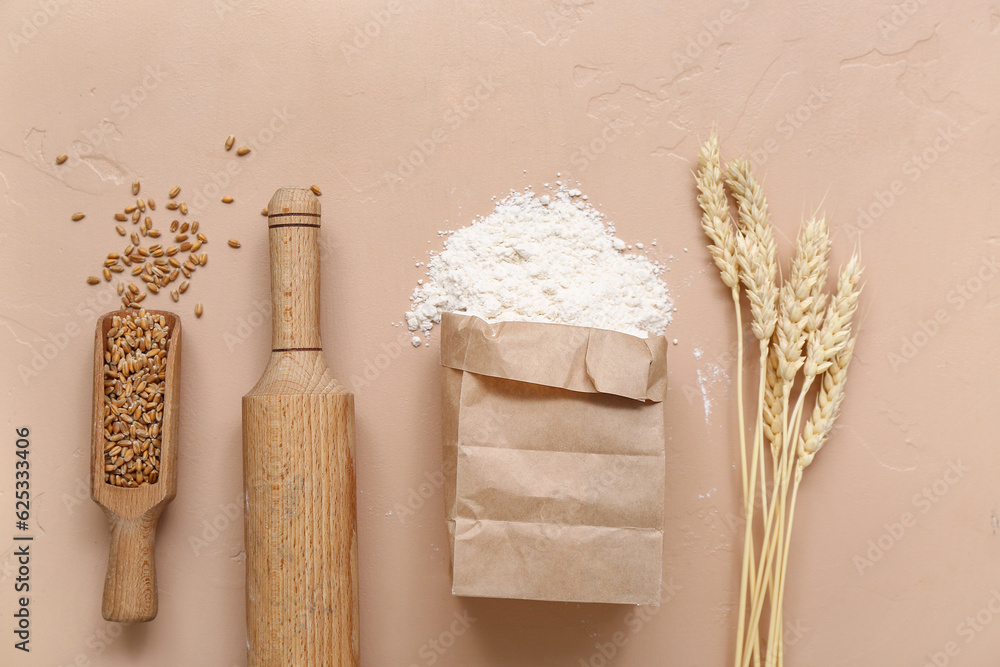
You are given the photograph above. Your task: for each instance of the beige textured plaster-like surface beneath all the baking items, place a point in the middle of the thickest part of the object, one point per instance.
(889, 109)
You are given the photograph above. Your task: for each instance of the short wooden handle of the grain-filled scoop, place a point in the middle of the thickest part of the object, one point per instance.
(130, 585)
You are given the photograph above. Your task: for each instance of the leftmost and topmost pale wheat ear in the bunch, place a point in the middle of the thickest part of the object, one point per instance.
(716, 220)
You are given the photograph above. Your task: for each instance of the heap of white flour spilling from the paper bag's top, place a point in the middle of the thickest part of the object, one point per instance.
(543, 259)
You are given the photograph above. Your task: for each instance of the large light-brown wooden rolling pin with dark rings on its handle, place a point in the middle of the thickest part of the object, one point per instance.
(298, 469)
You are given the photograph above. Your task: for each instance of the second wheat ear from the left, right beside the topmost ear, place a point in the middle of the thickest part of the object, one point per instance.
(756, 251)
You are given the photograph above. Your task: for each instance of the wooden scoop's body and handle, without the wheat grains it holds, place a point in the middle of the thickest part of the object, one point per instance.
(130, 585)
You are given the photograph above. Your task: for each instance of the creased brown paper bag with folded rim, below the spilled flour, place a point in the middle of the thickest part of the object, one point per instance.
(554, 461)
